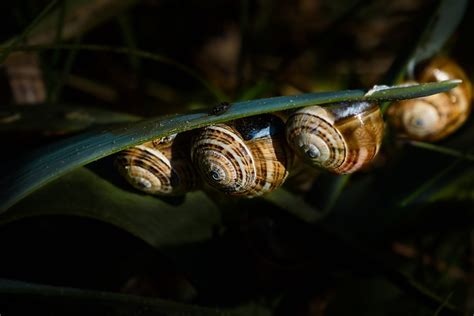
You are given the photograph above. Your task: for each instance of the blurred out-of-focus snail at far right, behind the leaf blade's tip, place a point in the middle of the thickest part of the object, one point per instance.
(434, 117)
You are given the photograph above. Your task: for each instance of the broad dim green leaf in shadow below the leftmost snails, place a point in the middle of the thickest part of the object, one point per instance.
(159, 222)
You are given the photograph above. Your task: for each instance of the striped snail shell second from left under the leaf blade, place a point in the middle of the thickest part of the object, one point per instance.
(248, 157)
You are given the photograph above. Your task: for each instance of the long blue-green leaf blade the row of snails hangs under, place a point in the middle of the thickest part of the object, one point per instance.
(45, 165)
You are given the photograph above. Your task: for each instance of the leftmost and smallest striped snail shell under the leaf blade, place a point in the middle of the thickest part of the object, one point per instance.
(160, 167)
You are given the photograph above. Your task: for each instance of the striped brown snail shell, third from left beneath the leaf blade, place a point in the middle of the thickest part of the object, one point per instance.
(341, 138)
